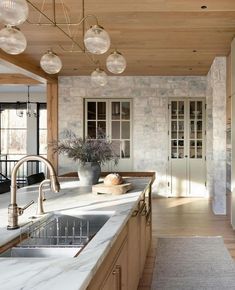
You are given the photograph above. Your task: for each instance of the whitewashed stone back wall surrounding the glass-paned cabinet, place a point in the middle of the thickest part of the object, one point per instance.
(150, 96)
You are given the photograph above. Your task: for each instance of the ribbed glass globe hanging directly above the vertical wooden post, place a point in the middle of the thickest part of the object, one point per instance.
(50, 62)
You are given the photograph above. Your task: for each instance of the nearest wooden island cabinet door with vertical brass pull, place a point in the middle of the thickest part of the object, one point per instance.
(117, 278)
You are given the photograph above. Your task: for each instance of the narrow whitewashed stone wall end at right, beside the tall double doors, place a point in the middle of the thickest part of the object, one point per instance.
(216, 134)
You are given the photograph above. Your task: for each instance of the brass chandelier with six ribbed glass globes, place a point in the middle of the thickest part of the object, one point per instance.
(96, 40)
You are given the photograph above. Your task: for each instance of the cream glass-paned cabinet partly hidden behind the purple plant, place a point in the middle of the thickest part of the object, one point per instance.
(114, 118)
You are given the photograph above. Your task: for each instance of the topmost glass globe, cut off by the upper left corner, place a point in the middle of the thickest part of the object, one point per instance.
(13, 12)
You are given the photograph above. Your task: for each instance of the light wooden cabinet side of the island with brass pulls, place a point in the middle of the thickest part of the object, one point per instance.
(123, 266)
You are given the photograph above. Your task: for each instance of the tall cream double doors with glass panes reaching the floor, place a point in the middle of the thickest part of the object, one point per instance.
(187, 147)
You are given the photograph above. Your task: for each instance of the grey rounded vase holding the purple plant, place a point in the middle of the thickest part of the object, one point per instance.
(89, 173)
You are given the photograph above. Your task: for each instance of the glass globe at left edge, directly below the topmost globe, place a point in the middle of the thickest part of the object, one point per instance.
(12, 40)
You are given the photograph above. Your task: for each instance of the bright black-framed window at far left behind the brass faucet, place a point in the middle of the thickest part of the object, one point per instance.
(21, 135)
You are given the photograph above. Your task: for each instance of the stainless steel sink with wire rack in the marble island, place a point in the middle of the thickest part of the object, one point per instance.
(59, 235)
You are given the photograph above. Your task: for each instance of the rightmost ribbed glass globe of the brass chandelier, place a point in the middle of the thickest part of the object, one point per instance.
(116, 62)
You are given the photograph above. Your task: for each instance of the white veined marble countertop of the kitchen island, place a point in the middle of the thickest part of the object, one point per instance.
(65, 273)
